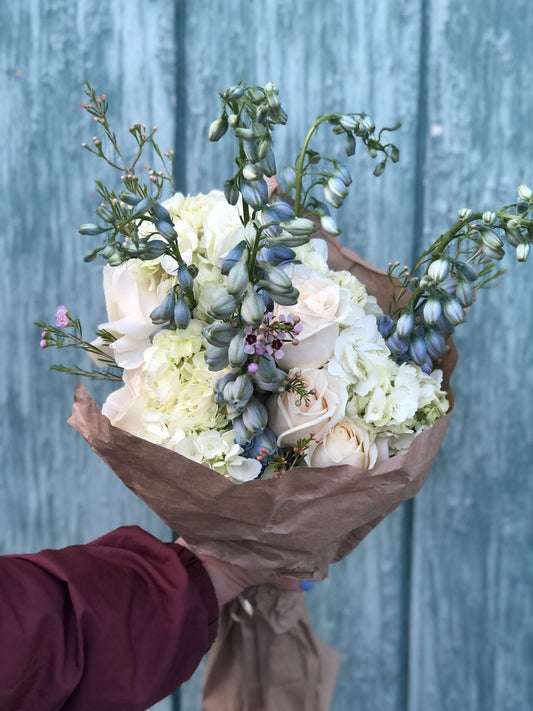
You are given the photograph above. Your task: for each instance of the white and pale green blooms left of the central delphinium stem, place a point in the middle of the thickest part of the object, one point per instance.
(168, 394)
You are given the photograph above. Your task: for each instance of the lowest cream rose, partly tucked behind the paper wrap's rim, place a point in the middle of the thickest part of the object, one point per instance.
(347, 442)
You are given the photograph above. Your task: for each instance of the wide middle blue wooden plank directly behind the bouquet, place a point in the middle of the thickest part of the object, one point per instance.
(353, 57)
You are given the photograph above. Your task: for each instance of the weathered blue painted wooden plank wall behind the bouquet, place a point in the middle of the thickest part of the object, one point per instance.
(434, 611)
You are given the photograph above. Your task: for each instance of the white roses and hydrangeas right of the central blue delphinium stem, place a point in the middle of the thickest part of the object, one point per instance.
(365, 407)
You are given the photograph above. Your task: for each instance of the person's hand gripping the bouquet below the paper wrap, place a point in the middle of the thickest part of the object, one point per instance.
(230, 580)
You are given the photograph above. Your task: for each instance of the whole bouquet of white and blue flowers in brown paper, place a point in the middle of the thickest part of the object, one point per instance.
(279, 396)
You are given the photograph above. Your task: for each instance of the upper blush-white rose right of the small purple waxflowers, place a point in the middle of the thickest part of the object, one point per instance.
(322, 304)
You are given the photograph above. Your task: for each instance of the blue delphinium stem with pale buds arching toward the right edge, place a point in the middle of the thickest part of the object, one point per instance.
(441, 295)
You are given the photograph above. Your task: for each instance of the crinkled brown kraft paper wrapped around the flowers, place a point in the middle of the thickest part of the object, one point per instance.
(266, 656)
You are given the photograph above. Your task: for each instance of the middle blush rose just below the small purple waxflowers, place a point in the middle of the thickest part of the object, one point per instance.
(292, 417)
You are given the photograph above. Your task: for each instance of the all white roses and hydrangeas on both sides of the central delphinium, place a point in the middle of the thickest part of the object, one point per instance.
(362, 406)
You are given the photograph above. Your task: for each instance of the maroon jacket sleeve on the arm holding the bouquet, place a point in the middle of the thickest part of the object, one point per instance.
(115, 625)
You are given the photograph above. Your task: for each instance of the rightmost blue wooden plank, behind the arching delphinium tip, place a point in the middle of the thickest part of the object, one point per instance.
(471, 633)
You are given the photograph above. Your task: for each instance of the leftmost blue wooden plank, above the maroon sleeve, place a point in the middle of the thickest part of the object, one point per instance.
(54, 490)
